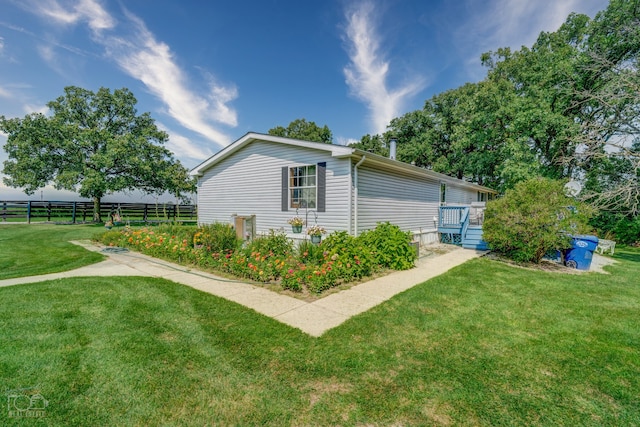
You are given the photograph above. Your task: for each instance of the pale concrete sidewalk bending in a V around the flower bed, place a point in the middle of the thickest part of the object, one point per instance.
(313, 318)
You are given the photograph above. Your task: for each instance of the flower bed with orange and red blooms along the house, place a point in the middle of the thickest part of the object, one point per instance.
(272, 258)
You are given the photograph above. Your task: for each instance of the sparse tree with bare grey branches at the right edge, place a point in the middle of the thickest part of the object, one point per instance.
(607, 97)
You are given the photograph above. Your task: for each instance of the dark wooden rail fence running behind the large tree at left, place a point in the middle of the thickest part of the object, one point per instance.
(81, 212)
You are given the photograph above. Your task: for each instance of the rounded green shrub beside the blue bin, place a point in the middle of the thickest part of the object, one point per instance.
(533, 219)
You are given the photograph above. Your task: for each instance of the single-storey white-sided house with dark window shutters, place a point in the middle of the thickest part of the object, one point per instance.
(260, 181)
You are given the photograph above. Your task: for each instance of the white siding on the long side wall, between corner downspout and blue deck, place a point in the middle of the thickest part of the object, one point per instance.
(407, 201)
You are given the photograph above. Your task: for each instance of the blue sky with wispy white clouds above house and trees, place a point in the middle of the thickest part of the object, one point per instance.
(211, 71)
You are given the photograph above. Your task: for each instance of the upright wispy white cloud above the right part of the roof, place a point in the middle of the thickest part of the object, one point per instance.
(367, 73)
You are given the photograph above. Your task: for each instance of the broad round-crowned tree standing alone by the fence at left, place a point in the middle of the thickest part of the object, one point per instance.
(94, 144)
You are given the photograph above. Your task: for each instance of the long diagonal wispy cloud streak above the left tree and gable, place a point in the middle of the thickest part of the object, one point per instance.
(142, 56)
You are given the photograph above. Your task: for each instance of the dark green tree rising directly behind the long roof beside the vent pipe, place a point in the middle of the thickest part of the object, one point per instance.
(462, 132)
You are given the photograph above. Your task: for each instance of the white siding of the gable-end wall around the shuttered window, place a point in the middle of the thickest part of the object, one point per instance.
(249, 183)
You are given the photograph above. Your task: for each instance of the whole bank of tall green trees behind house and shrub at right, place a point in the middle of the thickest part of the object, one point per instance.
(566, 107)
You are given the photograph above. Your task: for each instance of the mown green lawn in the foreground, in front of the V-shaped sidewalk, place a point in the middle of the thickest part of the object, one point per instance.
(484, 344)
